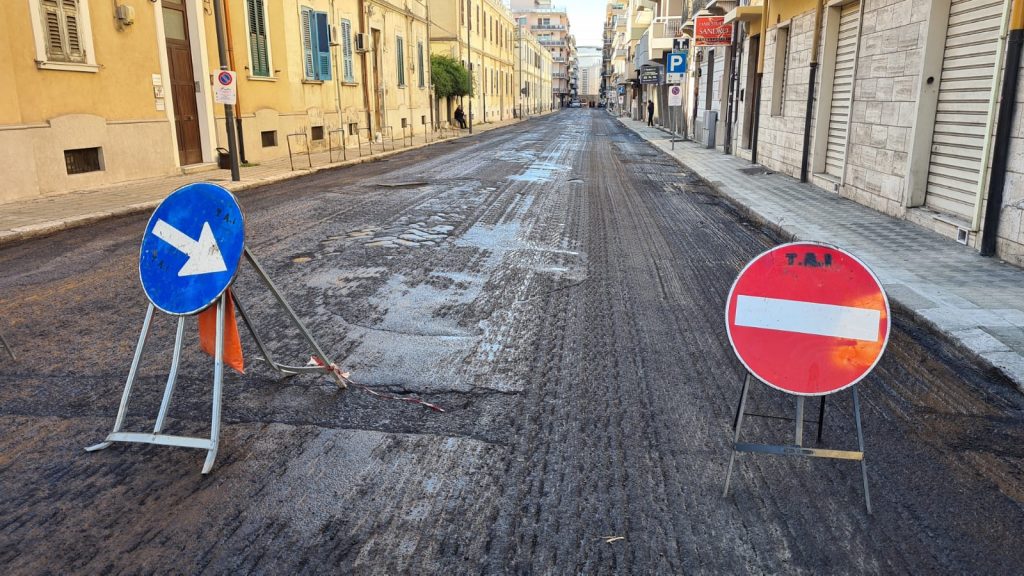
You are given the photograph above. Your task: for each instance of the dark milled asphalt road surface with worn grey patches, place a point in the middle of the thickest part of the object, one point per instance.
(559, 289)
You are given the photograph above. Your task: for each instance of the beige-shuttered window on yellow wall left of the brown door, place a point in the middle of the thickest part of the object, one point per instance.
(63, 35)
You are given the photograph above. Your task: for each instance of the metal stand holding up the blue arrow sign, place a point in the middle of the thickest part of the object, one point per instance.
(208, 444)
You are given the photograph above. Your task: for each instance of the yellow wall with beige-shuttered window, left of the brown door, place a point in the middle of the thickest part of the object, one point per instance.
(81, 99)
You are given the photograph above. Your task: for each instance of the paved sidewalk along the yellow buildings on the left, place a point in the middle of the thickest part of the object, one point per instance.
(41, 217)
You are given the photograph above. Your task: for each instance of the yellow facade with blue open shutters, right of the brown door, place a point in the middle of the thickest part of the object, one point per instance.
(313, 70)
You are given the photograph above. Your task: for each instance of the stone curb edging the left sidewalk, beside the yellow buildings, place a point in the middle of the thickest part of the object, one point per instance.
(23, 234)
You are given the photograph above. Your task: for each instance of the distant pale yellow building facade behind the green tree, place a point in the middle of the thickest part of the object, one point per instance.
(482, 35)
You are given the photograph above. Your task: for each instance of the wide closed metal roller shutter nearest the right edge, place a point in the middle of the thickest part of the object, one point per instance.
(965, 99)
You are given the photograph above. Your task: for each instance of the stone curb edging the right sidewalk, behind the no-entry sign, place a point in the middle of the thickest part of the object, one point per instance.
(787, 236)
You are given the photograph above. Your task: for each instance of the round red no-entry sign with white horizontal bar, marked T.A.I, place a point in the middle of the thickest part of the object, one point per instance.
(808, 319)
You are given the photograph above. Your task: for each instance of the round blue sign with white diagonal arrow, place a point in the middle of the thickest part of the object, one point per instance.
(192, 249)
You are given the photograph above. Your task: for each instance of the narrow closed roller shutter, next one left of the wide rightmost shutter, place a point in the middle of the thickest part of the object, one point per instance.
(846, 58)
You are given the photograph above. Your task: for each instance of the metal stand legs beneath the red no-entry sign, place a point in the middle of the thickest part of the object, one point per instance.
(798, 448)
